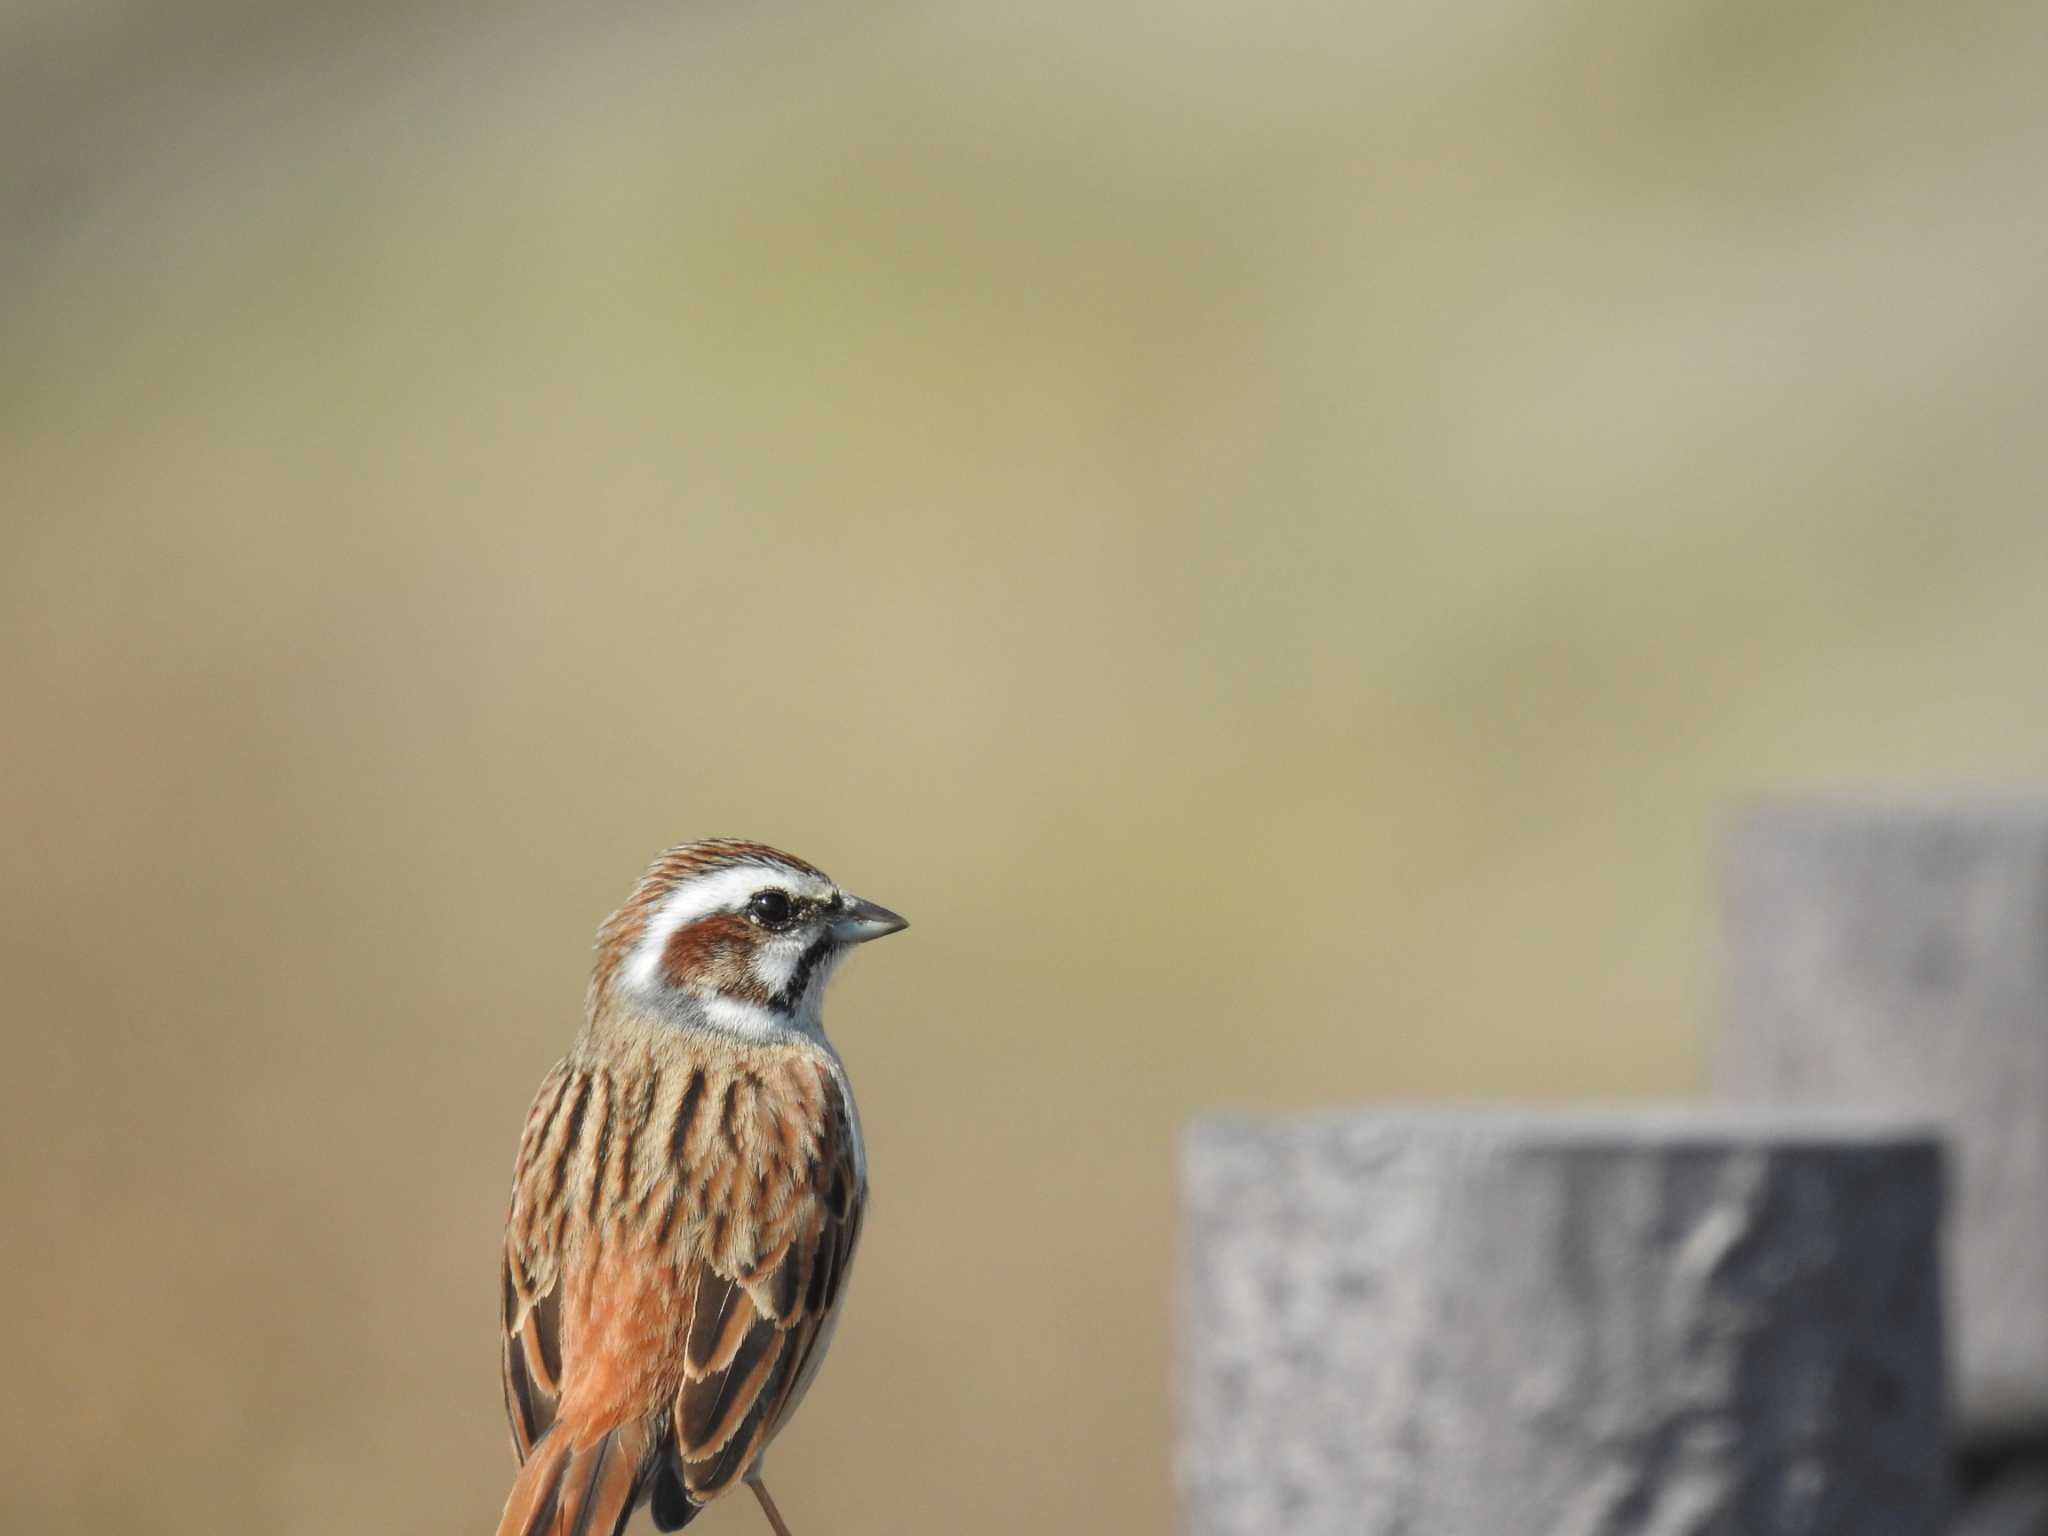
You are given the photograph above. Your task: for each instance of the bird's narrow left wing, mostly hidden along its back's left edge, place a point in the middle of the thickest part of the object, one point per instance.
(531, 1310)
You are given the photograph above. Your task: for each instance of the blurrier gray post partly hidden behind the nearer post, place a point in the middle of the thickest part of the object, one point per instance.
(1897, 955)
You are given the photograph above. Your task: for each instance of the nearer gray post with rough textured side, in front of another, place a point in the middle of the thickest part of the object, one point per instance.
(1560, 1324)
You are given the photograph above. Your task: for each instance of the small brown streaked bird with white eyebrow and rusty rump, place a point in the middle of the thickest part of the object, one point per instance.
(687, 1197)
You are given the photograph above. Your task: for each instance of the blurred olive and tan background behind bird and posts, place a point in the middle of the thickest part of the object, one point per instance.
(1273, 538)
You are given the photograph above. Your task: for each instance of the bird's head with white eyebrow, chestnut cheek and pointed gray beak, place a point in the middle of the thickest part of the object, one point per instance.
(732, 935)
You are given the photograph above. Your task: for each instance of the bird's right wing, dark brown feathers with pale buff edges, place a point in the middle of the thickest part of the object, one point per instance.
(761, 1312)
